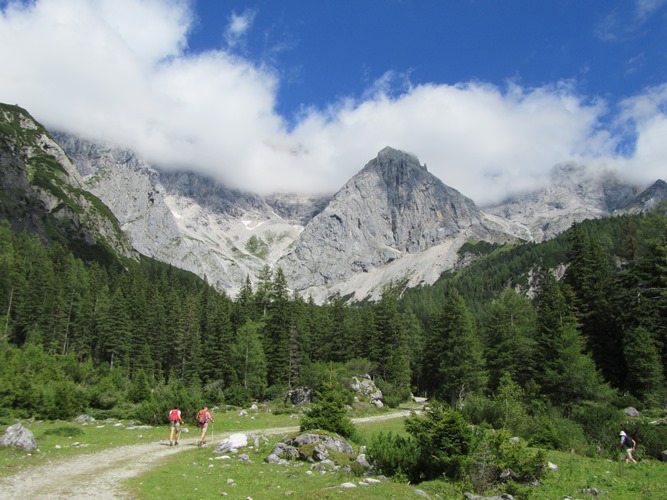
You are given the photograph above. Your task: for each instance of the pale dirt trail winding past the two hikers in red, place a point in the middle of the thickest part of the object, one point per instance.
(100, 475)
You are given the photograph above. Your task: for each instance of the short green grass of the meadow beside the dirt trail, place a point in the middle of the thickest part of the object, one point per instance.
(197, 473)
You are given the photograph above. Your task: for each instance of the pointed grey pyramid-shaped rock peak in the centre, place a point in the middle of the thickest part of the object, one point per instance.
(392, 211)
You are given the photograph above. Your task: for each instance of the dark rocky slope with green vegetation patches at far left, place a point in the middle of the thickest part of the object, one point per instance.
(43, 193)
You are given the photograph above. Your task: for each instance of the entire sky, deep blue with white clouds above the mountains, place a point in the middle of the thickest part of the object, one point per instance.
(297, 96)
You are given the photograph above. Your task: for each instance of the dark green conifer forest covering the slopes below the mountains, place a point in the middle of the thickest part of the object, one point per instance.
(115, 340)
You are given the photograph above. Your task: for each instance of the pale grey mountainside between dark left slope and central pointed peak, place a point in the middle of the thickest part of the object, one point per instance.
(188, 220)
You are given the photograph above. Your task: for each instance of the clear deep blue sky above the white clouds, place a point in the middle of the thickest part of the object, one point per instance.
(326, 50)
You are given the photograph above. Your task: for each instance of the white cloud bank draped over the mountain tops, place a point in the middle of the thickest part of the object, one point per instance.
(122, 73)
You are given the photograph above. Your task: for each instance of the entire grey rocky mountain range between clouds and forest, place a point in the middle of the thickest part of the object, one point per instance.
(392, 222)
